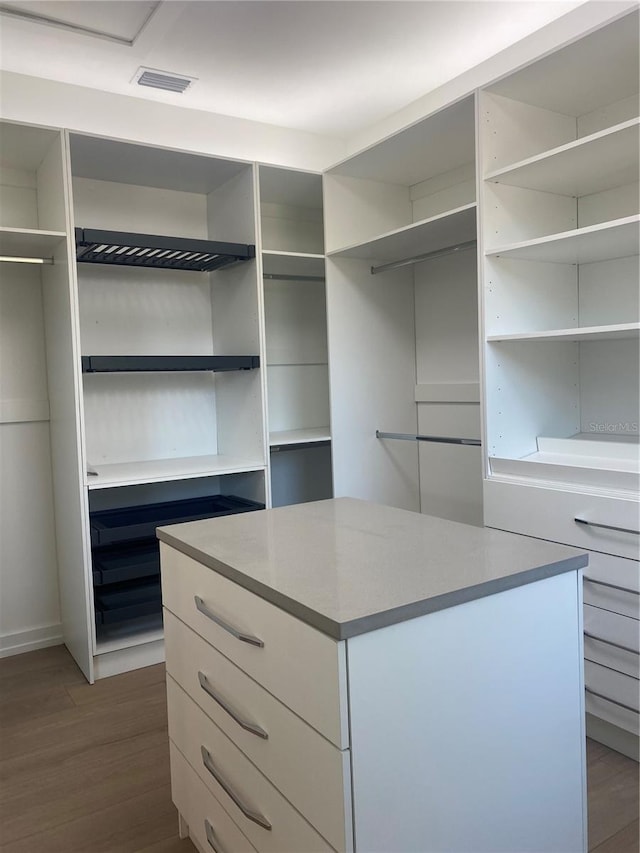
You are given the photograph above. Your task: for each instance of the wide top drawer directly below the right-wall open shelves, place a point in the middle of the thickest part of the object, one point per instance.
(551, 513)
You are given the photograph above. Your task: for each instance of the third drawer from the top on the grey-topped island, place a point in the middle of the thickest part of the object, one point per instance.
(267, 819)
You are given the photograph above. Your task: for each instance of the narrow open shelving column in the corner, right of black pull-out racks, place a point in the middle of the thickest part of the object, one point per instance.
(292, 236)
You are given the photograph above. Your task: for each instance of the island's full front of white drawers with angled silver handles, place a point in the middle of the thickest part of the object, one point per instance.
(257, 707)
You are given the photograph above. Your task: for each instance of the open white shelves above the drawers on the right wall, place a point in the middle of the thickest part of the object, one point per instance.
(562, 234)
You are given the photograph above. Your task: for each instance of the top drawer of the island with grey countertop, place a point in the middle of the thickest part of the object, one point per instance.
(302, 667)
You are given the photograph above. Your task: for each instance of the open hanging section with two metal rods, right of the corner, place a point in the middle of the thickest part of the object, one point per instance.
(403, 334)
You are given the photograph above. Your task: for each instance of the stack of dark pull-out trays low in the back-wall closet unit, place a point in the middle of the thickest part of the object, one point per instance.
(125, 554)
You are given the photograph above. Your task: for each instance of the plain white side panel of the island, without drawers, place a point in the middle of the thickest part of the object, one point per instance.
(467, 727)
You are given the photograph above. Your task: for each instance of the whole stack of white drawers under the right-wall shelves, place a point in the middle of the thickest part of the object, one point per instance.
(607, 527)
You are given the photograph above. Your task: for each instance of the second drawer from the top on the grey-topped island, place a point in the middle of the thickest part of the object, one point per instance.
(291, 746)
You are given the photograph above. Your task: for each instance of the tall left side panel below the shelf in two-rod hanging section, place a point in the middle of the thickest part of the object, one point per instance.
(372, 379)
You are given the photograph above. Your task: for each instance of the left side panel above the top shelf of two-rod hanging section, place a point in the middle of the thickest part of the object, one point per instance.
(357, 210)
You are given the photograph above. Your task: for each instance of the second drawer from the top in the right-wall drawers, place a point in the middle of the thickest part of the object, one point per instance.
(613, 583)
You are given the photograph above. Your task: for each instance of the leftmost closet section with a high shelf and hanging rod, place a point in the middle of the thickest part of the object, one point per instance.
(34, 267)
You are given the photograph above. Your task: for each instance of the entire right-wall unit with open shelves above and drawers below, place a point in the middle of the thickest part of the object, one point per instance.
(561, 238)
